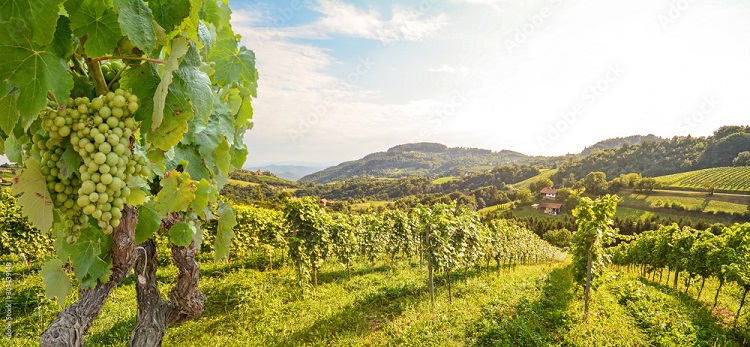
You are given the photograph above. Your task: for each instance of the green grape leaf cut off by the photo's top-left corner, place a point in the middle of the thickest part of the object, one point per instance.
(40, 15)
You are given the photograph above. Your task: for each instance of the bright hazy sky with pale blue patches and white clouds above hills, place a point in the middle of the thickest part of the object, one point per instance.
(341, 79)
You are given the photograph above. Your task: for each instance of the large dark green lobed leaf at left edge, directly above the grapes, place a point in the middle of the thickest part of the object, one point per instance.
(32, 68)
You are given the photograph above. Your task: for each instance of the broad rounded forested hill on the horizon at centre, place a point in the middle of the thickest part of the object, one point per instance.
(418, 159)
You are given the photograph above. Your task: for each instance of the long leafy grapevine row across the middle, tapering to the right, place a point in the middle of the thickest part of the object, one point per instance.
(446, 236)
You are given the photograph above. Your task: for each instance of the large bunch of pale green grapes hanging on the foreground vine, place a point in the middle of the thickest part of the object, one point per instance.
(100, 131)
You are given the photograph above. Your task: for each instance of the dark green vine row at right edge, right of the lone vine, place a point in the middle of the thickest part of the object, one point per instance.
(700, 254)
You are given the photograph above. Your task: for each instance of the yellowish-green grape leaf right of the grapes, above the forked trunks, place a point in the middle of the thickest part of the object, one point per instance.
(177, 191)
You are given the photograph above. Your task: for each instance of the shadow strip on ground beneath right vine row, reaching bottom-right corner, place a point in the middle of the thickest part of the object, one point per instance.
(707, 324)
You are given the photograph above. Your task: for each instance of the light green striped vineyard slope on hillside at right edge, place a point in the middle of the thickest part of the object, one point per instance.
(730, 179)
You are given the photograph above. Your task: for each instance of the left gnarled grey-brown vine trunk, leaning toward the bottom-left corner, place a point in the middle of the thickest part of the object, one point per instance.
(71, 325)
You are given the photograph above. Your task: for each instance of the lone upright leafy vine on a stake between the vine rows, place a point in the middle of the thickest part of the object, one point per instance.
(594, 221)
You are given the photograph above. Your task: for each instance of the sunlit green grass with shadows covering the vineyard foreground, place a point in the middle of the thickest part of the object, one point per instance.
(388, 305)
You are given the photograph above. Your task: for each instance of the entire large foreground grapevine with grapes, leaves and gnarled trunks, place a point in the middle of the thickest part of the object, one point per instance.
(108, 103)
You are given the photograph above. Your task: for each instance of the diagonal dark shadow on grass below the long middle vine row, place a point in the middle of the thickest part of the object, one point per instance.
(361, 317)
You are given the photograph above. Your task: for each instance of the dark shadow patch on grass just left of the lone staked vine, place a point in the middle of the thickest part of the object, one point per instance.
(528, 323)
